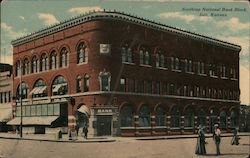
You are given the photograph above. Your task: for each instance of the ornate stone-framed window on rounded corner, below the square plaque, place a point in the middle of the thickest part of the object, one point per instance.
(105, 78)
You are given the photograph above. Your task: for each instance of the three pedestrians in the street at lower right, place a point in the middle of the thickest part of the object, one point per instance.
(201, 140)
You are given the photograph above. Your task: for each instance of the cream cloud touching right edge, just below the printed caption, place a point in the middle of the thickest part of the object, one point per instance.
(233, 24)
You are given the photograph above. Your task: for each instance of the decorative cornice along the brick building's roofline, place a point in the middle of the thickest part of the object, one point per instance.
(114, 15)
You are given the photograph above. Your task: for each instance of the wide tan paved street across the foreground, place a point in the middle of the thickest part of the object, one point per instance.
(122, 148)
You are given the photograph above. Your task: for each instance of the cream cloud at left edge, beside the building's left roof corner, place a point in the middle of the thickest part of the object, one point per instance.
(10, 32)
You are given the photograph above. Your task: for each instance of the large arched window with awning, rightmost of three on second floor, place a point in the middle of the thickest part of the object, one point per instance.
(59, 86)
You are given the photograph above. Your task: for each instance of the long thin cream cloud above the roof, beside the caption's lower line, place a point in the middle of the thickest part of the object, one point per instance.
(187, 18)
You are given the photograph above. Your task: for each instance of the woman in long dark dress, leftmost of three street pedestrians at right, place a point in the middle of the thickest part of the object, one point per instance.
(201, 141)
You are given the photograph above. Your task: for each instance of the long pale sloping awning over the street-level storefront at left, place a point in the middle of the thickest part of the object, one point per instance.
(42, 120)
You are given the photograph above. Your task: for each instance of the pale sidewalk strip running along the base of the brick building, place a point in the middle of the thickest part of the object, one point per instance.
(80, 139)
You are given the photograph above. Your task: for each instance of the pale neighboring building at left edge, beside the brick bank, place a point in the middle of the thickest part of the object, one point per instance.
(6, 87)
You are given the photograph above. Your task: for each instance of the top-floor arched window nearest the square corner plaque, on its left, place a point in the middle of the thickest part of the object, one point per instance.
(82, 53)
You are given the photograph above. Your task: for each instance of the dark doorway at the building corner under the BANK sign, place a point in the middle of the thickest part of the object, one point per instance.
(104, 125)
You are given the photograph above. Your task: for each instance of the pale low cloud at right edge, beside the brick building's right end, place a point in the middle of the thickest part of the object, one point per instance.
(244, 85)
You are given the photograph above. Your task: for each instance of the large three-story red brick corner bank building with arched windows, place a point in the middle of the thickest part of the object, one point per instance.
(125, 75)
